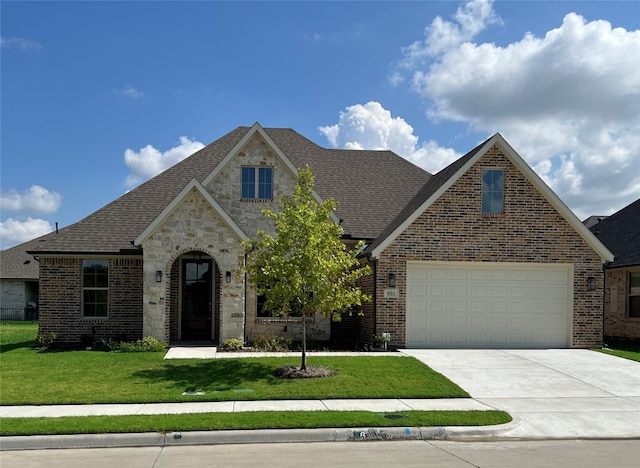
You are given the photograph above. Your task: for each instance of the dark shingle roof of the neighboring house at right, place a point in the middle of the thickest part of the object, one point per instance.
(620, 233)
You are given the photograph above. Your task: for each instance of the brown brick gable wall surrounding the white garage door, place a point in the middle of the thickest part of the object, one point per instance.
(530, 230)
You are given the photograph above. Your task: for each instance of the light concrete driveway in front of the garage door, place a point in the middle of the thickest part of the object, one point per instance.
(555, 393)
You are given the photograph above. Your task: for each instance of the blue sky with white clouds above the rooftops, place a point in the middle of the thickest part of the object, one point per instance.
(97, 97)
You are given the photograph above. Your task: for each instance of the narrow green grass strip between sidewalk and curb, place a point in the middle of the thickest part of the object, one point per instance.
(252, 420)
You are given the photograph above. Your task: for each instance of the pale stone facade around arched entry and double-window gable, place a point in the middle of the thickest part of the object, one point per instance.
(195, 226)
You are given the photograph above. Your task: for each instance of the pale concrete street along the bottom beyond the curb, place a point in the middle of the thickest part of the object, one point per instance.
(548, 454)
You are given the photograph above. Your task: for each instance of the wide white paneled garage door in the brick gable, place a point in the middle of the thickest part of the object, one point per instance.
(488, 305)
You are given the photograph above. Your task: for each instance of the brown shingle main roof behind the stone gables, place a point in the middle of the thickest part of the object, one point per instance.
(370, 186)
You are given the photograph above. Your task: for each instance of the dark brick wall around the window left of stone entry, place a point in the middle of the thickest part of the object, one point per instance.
(61, 301)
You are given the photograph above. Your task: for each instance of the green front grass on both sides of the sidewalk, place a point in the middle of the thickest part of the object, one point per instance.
(76, 377)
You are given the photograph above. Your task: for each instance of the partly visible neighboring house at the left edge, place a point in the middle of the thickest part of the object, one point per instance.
(18, 282)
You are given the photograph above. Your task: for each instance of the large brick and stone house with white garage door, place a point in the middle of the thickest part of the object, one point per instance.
(482, 254)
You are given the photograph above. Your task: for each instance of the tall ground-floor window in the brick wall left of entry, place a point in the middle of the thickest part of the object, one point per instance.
(95, 288)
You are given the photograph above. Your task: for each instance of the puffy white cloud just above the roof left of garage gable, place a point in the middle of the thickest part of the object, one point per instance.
(371, 126)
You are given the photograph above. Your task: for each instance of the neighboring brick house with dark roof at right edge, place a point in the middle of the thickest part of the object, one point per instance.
(620, 232)
